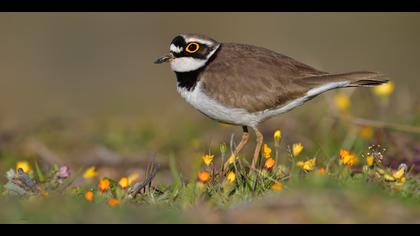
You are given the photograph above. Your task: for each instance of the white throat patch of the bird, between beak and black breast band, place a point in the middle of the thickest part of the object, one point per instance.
(185, 64)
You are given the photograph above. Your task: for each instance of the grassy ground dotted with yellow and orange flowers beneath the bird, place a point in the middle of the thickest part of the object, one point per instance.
(167, 179)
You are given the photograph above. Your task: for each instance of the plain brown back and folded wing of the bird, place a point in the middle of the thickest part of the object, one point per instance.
(254, 78)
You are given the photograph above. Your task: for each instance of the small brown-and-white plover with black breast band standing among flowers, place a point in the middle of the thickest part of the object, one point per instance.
(244, 85)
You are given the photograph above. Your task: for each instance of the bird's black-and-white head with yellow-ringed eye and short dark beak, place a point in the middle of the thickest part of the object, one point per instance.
(189, 52)
